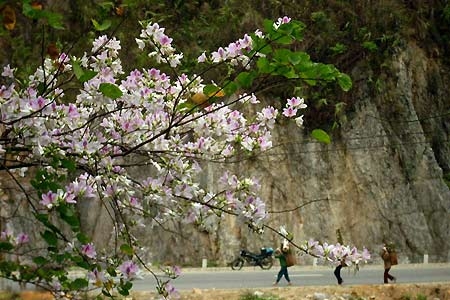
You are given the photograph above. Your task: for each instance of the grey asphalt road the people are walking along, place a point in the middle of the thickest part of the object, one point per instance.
(300, 276)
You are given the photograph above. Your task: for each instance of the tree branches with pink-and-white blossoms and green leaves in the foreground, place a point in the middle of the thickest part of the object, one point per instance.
(85, 149)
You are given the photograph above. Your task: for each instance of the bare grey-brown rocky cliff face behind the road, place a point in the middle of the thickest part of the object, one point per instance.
(381, 179)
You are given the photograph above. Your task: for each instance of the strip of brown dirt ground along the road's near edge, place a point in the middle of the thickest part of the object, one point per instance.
(432, 291)
